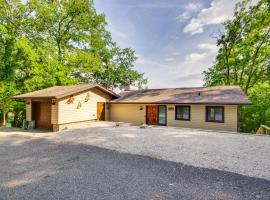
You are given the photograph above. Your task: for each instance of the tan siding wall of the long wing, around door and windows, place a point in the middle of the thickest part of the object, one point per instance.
(131, 113)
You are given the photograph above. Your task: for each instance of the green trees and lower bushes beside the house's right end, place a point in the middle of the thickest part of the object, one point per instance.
(244, 59)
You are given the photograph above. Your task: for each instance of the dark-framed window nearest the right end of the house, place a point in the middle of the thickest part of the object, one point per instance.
(215, 114)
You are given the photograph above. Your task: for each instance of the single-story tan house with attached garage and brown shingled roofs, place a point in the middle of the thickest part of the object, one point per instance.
(215, 108)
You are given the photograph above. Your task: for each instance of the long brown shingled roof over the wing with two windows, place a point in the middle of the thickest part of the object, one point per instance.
(196, 95)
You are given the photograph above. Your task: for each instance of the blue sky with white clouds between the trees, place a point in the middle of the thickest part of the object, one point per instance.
(172, 38)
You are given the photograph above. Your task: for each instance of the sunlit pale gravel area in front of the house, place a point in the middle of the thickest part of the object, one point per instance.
(240, 153)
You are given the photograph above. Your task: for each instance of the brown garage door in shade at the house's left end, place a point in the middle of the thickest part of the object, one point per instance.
(41, 113)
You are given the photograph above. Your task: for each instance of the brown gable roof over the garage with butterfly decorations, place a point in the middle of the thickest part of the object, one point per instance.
(58, 92)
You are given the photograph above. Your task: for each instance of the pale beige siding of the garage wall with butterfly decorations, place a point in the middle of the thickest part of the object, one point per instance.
(68, 113)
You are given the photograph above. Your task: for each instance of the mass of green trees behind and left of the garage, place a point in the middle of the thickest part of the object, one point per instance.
(46, 43)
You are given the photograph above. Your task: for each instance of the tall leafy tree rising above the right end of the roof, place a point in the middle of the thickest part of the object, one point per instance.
(244, 54)
